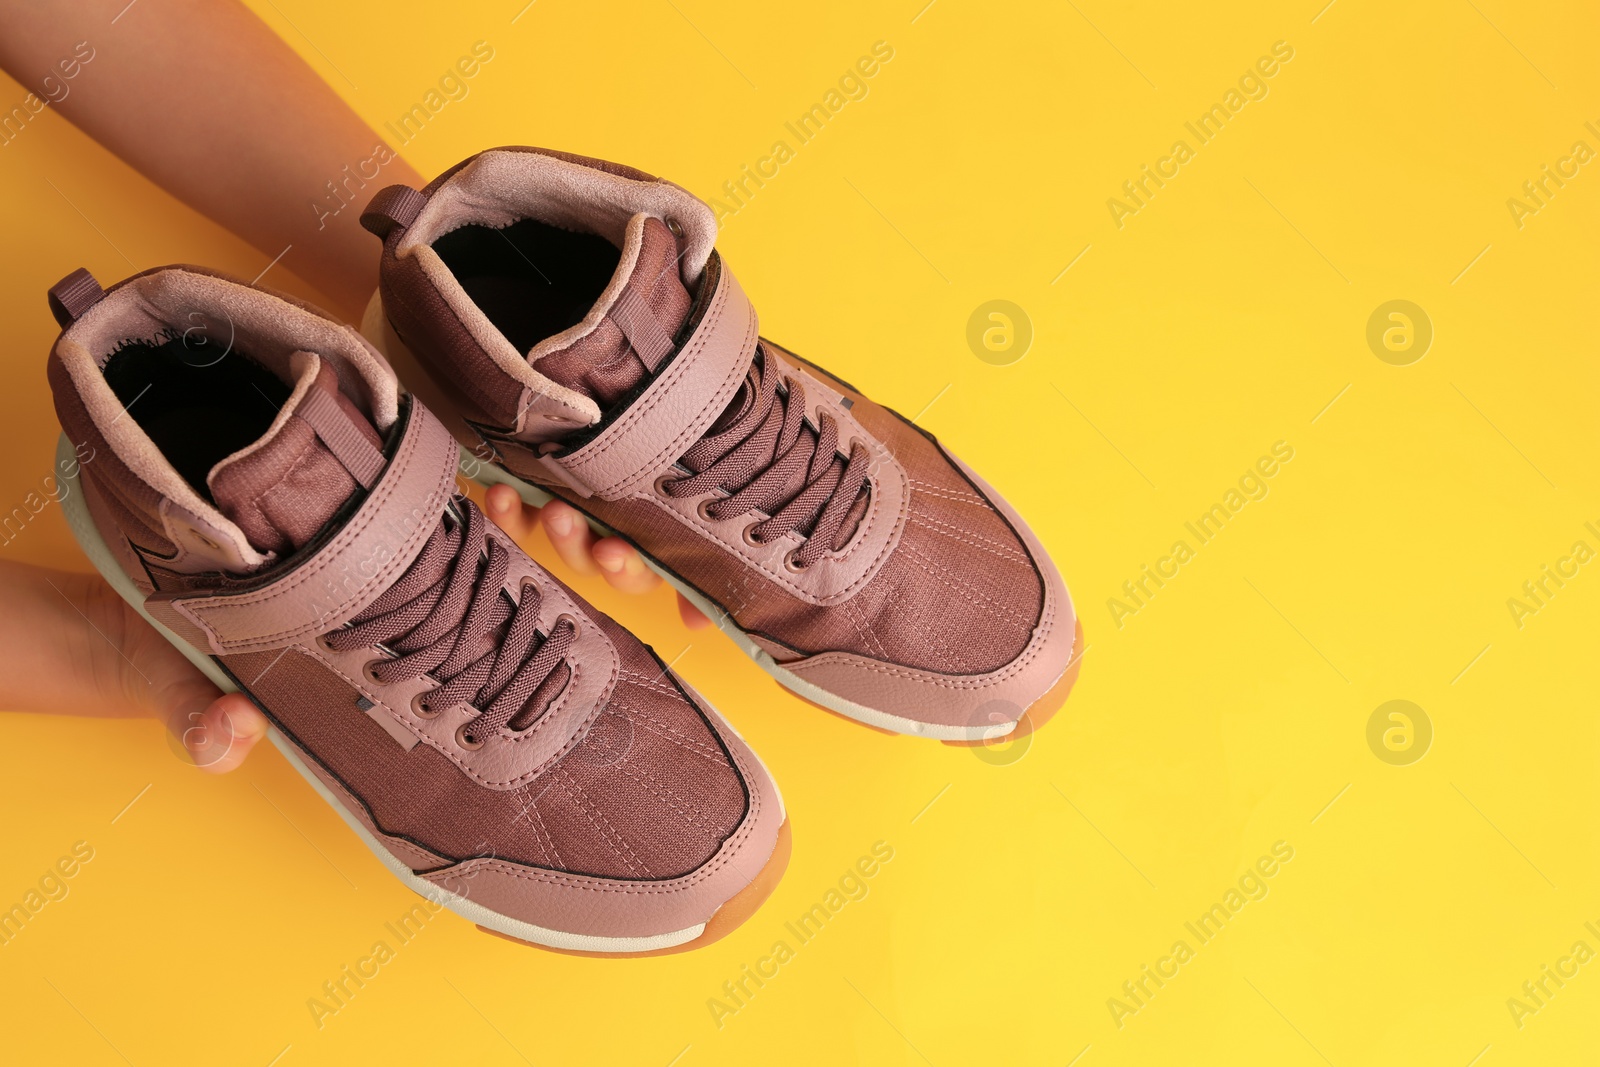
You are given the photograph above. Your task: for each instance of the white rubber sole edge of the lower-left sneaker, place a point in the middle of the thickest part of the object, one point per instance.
(95, 548)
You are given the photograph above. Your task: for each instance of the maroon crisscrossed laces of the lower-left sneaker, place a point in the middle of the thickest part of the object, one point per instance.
(442, 618)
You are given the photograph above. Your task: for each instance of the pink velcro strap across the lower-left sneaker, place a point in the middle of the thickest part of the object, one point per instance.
(361, 562)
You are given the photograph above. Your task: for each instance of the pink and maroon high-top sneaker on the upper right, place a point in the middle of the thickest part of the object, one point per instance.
(598, 350)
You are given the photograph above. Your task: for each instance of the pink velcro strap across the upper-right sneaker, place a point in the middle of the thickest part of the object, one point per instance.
(679, 407)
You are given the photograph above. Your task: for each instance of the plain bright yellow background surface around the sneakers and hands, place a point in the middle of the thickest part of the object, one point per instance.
(1223, 717)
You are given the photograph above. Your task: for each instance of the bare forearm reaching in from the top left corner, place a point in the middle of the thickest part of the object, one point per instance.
(210, 105)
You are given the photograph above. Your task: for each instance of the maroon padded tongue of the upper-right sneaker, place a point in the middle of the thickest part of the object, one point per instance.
(644, 308)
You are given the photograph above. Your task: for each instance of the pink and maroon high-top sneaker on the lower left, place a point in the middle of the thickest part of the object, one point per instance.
(258, 487)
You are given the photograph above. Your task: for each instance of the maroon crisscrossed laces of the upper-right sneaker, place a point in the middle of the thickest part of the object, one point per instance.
(767, 458)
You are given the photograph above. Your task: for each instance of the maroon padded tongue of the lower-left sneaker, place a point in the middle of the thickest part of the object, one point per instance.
(284, 489)
